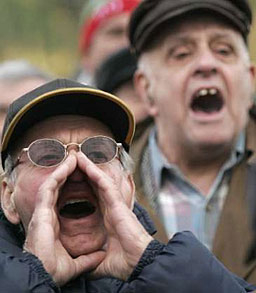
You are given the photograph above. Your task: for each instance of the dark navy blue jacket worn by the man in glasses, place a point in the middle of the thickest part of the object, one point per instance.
(184, 265)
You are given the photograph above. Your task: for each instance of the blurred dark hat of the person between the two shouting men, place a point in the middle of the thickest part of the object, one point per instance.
(116, 70)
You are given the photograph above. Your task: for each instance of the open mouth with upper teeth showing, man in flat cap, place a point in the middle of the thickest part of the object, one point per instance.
(207, 100)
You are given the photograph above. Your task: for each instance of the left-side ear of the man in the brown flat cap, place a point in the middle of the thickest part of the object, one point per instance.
(142, 87)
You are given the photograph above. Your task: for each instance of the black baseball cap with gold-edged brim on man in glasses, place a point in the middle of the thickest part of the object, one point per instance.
(64, 97)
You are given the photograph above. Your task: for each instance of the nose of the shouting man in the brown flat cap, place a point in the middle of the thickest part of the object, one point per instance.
(206, 64)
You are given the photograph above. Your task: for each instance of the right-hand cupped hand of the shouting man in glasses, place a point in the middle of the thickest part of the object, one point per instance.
(127, 238)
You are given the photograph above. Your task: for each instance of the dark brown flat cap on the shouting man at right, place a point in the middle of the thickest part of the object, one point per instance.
(150, 14)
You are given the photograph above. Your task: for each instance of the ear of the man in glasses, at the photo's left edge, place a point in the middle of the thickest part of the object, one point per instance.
(7, 202)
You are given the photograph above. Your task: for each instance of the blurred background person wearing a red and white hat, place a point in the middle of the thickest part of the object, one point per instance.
(103, 31)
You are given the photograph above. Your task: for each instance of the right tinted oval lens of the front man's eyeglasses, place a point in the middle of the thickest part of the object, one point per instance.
(99, 149)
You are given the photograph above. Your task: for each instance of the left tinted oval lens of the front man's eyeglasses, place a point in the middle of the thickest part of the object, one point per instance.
(46, 152)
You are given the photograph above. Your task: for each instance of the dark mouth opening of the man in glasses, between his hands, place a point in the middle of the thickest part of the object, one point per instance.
(77, 210)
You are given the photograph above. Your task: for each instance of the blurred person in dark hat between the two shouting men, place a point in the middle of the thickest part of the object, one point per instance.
(115, 75)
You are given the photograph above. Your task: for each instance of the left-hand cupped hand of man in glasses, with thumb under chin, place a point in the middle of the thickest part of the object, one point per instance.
(42, 237)
